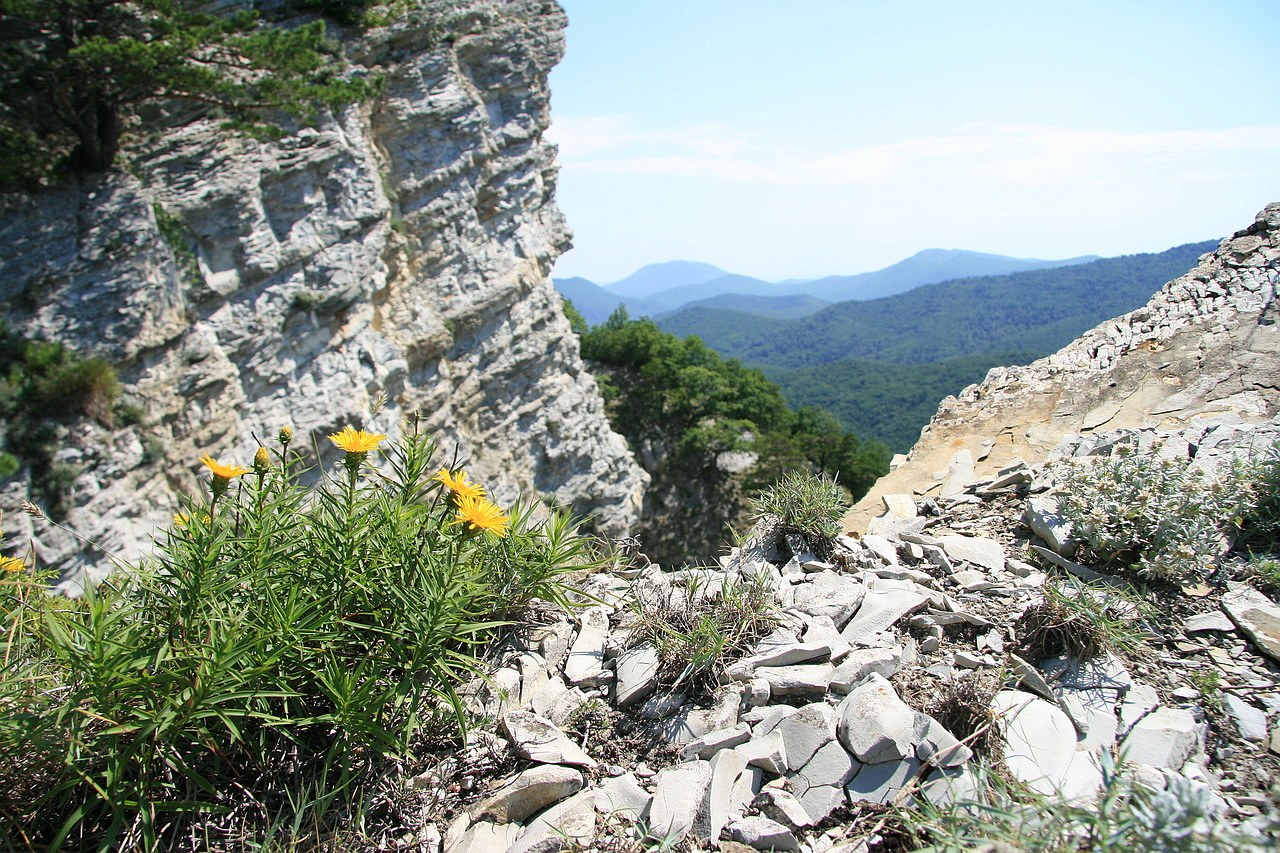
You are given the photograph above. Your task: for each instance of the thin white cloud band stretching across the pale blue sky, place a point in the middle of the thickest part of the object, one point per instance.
(1013, 154)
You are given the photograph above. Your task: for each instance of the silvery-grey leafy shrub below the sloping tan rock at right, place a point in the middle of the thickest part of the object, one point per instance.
(1162, 516)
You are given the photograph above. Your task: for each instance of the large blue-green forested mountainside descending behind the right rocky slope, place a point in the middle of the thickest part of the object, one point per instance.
(883, 367)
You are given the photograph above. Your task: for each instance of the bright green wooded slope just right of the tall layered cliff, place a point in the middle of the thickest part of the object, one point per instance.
(711, 432)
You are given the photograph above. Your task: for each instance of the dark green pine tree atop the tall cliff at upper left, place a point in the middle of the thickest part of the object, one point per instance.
(72, 72)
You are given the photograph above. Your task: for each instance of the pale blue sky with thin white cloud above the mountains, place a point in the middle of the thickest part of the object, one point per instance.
(799, 139)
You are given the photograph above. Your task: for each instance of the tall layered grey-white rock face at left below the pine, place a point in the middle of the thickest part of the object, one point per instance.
(401, 250)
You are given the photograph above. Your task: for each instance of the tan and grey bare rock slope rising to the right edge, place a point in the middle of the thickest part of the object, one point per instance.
(1206, 344)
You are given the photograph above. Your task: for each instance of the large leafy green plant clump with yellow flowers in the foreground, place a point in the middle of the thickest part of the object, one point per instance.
(286, 647)
